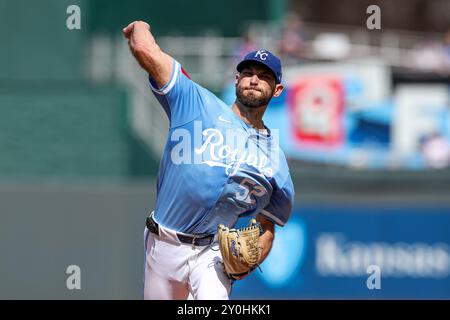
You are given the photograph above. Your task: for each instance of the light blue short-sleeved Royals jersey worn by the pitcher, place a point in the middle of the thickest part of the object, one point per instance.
(215, 168)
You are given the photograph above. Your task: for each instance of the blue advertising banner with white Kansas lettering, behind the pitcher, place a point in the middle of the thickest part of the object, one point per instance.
(356, 252)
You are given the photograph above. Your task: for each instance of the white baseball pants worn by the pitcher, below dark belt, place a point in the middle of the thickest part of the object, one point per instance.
(176, 271)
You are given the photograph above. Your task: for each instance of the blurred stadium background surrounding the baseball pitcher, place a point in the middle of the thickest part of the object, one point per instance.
(365, 122)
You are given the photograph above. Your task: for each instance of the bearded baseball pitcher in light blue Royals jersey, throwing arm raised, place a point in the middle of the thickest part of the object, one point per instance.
(220, 163)
